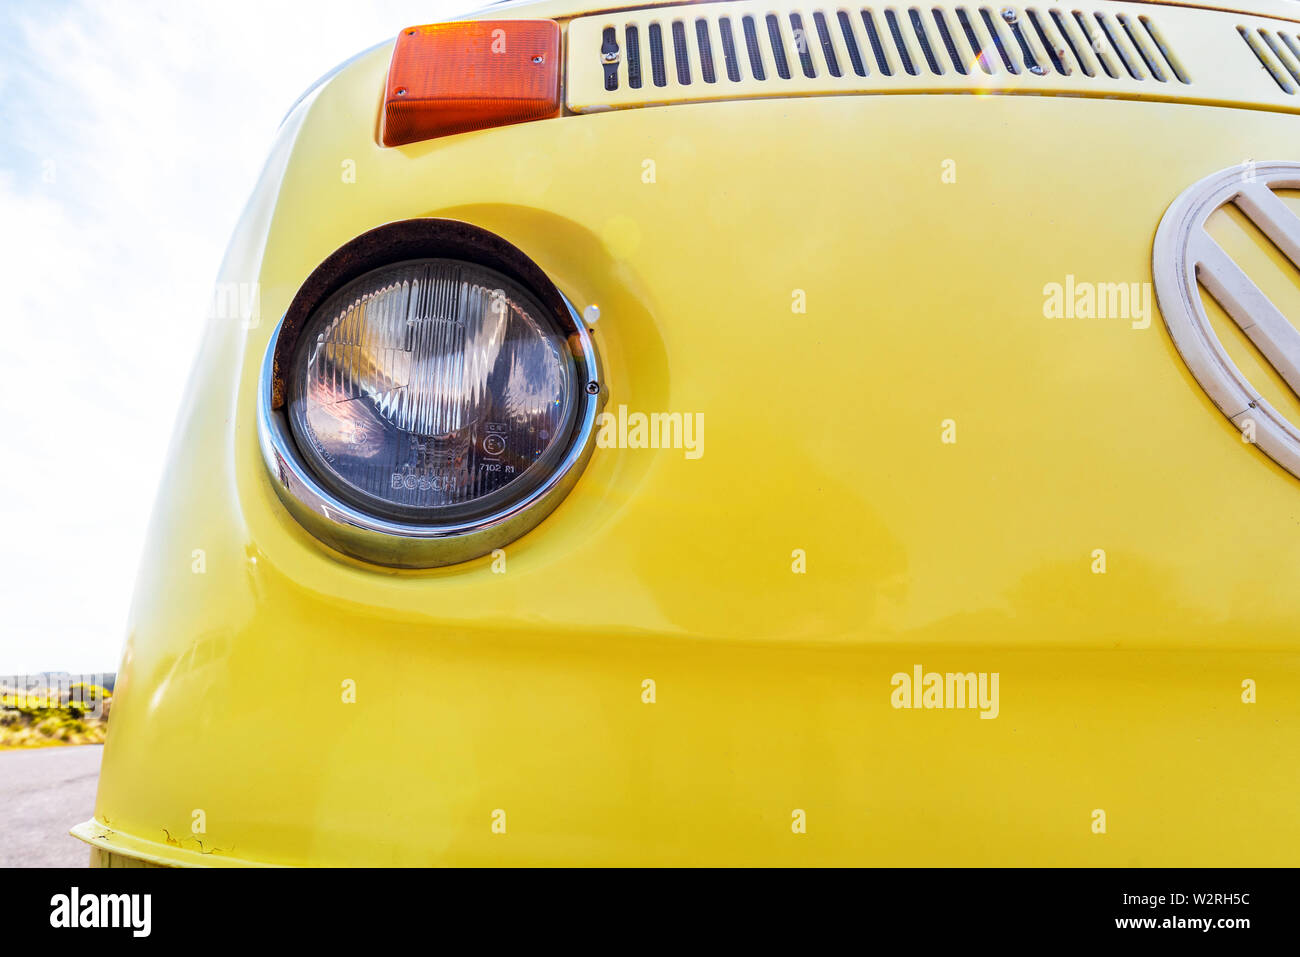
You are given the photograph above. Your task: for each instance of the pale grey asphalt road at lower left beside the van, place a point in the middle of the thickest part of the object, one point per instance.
(44, 793)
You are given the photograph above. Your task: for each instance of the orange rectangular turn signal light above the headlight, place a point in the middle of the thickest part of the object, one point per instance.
(469, 76)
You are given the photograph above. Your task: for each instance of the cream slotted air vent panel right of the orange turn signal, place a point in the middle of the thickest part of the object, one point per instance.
(739, 49)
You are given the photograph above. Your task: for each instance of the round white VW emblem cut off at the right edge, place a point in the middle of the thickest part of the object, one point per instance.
(1185, 258)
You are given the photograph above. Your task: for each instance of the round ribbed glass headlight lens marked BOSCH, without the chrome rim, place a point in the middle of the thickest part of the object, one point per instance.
(432, 392)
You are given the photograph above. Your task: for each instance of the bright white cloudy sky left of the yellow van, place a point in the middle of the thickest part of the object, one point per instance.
(131, 137)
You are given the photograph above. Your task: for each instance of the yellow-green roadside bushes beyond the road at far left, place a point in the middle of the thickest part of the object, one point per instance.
(77, 714)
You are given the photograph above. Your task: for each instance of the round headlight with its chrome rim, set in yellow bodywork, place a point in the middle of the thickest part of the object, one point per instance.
(432, 410)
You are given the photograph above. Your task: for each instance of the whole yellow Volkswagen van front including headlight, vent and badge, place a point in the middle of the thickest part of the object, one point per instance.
(726, 434)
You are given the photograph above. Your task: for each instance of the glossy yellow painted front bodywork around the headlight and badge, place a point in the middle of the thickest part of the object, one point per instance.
(522, 692)
